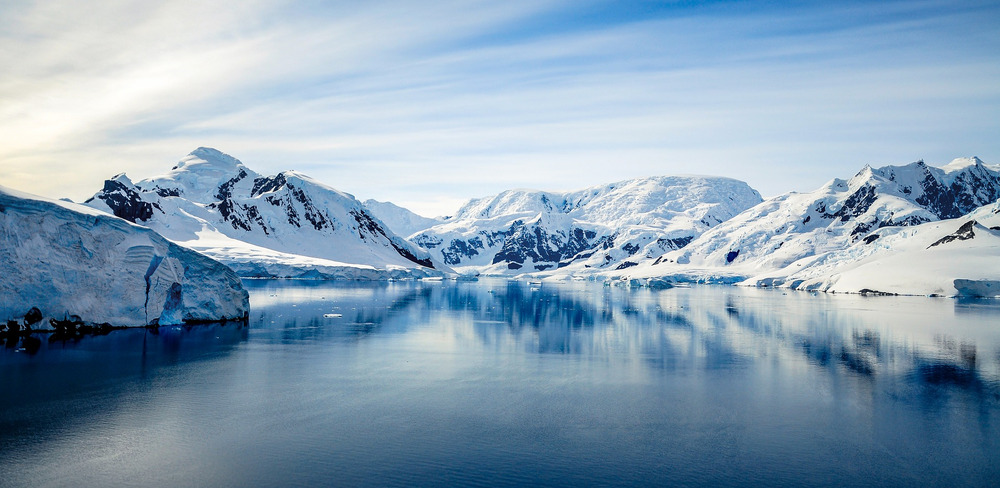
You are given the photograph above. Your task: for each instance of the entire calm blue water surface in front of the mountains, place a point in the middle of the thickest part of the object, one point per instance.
(504, 383)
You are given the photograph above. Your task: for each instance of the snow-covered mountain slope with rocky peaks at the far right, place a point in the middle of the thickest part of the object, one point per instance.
(871, 232)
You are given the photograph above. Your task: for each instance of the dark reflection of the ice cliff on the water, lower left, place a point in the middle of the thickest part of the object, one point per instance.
(58, 371)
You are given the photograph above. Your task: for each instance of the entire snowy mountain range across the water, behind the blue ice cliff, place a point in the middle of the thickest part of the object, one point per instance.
(673, 228)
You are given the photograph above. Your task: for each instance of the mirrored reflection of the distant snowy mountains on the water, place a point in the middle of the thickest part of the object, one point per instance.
(935, 344)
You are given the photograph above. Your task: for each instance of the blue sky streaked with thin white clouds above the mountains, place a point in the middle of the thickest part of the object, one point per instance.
(429, 104)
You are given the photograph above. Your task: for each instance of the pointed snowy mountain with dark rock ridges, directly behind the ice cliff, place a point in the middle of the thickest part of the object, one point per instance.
(286, 225)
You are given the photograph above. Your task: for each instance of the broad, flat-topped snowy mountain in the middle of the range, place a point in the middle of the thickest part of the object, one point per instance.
(604, 227)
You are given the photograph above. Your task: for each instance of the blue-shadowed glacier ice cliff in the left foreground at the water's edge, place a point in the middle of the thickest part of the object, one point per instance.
(67, 259)
